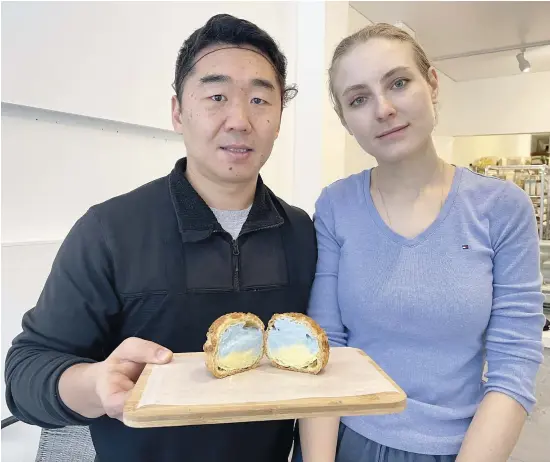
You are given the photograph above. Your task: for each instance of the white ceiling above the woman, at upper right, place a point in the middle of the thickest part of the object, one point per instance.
(452, 28)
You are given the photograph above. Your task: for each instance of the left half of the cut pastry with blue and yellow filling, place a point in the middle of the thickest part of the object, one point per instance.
(234, 344)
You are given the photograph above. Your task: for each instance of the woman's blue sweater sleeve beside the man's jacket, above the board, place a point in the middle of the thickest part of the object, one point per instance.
(323, 305)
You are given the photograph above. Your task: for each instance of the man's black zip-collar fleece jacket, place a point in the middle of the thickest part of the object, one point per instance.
(156, 264)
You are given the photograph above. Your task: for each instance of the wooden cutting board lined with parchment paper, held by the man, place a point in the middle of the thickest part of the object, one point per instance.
(185, 393)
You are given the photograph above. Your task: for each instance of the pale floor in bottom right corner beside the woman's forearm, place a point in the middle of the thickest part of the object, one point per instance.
(534, 442)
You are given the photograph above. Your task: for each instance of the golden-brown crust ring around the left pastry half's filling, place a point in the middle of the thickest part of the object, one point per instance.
(213, 336)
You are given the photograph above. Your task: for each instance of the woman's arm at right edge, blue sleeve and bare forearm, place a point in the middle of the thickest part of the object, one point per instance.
(514, 334)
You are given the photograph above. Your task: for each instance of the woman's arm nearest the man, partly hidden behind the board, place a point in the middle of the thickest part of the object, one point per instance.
(318, 436)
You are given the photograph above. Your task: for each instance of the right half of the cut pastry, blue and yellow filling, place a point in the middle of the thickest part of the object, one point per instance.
(296, 342)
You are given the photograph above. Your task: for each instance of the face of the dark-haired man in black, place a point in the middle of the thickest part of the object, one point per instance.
(230, 114)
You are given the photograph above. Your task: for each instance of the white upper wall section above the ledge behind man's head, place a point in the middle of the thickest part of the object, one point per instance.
(112, 60)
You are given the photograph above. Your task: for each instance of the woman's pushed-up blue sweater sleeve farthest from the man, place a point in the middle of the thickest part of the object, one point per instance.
(514, 334)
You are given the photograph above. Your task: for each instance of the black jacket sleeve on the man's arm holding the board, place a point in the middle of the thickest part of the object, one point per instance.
(67, 326)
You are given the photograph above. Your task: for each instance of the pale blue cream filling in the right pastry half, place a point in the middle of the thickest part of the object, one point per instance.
(287, 333)
